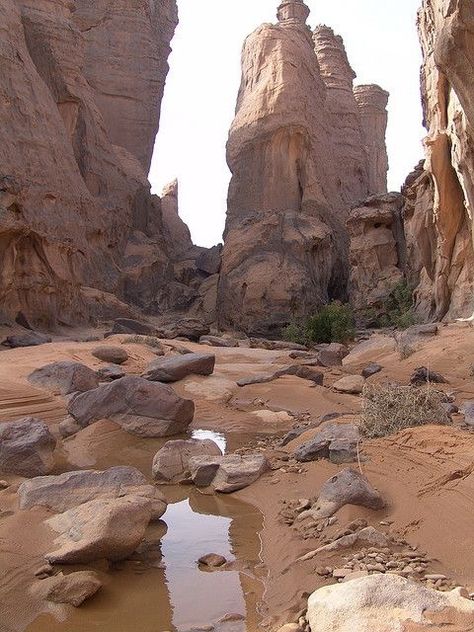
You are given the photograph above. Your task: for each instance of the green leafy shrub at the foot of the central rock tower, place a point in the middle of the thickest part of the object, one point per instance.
(332, 323)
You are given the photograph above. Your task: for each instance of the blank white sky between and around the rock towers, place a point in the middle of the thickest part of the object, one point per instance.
(201, 91)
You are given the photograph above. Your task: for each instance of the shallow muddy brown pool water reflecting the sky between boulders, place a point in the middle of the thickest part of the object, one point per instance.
(163, 588)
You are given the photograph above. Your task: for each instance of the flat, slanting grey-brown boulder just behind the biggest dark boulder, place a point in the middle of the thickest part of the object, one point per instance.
(175, 368)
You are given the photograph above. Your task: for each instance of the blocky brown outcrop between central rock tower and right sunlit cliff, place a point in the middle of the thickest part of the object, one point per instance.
(377, 252)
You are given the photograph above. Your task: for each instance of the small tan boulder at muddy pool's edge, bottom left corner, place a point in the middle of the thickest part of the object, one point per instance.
(72, 589)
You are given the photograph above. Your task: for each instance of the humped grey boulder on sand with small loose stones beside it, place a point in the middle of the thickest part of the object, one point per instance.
(348, 487)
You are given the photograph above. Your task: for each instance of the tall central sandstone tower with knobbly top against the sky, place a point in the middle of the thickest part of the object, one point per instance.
(294, 175)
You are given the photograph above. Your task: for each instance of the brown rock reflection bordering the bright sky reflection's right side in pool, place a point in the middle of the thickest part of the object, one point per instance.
(245, 545)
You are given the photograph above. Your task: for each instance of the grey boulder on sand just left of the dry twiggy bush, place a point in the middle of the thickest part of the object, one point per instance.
(336, 442)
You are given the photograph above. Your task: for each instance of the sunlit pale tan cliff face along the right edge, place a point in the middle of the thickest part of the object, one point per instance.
(440, 198)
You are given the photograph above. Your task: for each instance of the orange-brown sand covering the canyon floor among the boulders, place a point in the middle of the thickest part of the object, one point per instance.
(425, 474)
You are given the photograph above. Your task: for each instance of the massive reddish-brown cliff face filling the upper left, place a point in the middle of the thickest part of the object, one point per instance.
(79, 106)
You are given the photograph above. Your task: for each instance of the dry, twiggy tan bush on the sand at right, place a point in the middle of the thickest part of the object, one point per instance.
(389, 408)
